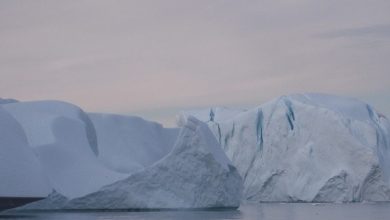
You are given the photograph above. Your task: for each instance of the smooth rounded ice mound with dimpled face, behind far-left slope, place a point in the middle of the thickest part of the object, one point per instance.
(64, 140)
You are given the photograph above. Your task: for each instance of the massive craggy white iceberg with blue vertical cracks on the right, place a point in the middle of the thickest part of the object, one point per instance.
(309, 147)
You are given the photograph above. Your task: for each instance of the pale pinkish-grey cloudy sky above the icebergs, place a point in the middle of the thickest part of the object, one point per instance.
(156, 58)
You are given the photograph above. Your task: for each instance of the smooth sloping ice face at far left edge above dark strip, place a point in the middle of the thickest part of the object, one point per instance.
(21, 174)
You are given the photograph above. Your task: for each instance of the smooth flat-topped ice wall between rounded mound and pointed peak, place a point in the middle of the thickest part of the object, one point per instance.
(127, 144)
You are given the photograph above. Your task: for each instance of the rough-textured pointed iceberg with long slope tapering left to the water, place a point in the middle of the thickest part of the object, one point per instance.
(195, 174)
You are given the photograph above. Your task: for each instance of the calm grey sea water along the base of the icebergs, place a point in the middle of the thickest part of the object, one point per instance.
(273, 211)
